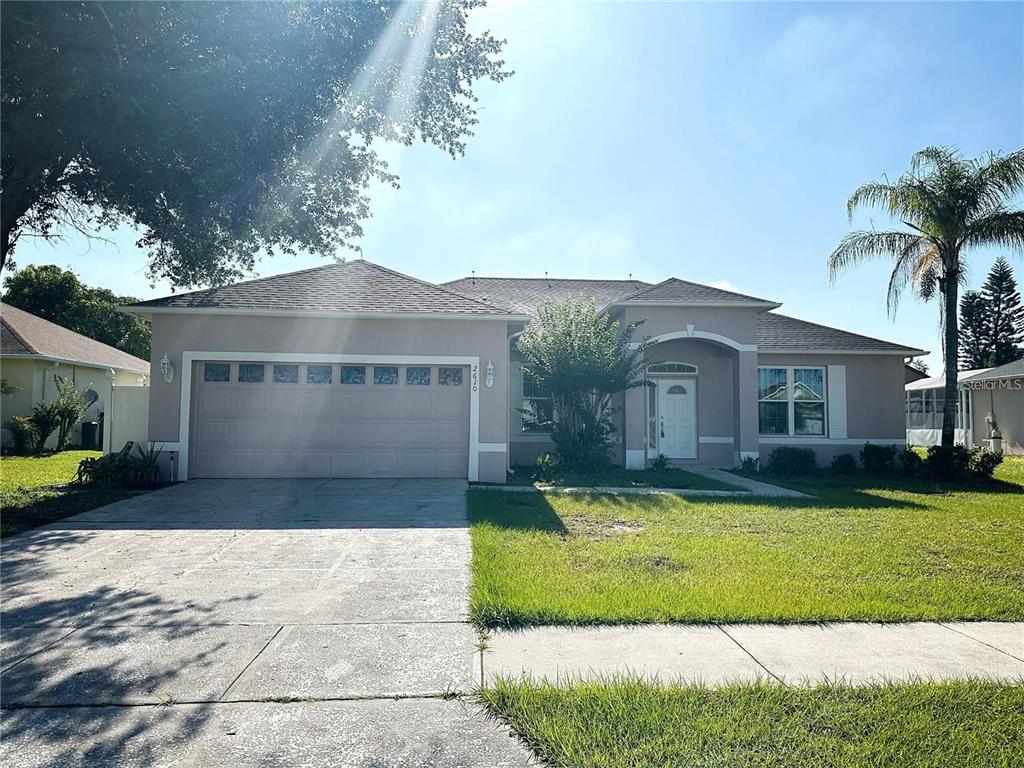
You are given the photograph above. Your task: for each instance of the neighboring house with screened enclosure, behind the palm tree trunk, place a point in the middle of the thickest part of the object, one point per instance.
(988, 399)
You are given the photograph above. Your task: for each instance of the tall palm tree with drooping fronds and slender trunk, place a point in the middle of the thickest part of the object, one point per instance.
(949, 205)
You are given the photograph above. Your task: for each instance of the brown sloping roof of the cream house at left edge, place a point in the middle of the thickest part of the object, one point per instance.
(27, 335)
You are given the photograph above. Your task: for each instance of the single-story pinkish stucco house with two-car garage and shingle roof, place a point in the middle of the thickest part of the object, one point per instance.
(356, 370)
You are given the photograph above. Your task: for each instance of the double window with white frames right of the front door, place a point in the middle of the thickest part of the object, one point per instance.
(792, 401)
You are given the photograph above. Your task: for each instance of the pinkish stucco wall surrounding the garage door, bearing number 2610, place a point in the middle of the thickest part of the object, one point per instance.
(175, 334)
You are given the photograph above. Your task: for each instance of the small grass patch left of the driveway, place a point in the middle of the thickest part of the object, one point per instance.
(34, 491)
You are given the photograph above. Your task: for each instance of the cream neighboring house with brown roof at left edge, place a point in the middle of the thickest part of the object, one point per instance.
(33, 351)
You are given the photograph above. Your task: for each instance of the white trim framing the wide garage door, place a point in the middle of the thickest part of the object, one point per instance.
(191, 358)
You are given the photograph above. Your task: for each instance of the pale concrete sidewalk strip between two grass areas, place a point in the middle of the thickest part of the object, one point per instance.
(852, 653)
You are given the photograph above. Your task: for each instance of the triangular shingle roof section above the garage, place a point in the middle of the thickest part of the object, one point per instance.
(348, 287)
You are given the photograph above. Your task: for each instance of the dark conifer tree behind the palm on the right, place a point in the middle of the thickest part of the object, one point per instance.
(993, 321)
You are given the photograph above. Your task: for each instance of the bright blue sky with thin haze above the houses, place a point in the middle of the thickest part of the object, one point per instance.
(715, 143)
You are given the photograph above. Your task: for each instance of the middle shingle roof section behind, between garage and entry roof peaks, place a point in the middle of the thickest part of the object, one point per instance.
(529, 294)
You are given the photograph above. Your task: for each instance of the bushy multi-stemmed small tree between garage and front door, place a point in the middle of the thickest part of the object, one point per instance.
(582, 359)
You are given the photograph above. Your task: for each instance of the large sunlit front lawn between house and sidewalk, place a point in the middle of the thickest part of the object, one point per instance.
(883, 549)
